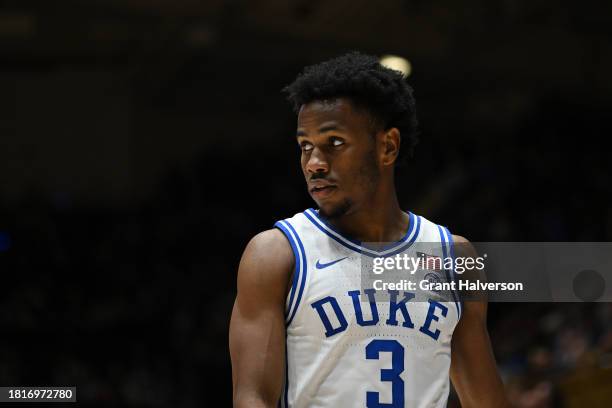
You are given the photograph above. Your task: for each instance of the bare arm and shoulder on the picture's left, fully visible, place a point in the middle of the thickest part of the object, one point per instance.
(257, 328)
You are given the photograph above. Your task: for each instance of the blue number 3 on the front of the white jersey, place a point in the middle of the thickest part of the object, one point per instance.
(373, 350)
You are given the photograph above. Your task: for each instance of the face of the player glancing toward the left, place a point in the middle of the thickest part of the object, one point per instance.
(339, 156)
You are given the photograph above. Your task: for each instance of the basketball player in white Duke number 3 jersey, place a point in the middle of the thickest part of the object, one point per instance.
(301, 333)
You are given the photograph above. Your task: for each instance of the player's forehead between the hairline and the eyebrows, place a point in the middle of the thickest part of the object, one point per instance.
(338, 111)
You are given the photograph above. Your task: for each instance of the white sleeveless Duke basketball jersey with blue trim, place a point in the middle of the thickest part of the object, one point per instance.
(346, 346)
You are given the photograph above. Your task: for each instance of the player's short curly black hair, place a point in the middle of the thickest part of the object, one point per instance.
(382, 92)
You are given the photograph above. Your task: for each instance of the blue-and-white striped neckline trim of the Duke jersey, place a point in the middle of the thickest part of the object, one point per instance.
(392, 249)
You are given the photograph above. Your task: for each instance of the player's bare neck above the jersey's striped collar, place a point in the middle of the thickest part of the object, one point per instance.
(379, 219)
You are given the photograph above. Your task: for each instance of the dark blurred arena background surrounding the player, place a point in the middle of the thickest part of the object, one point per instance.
(143, 142)
